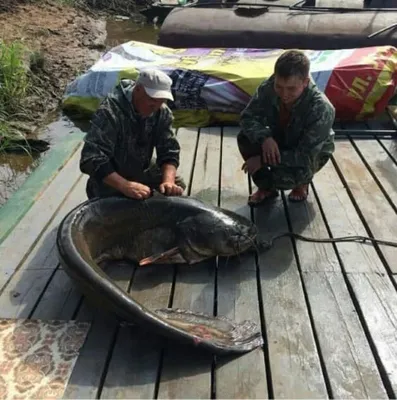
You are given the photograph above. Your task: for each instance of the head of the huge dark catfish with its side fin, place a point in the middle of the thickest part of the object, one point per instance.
(208, 234)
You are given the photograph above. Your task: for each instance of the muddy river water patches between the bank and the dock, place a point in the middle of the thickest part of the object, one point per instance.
(15, 168)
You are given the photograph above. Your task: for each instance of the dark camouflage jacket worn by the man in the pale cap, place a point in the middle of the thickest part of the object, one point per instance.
(121, 141)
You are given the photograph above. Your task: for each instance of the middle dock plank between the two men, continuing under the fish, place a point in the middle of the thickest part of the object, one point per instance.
(187, 374)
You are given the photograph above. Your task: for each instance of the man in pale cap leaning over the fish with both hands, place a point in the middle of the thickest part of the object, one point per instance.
(131, 122)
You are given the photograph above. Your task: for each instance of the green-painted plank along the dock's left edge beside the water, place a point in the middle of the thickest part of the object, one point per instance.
(41, 182)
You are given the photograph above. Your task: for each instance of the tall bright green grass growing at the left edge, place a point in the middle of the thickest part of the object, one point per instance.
(14, 86)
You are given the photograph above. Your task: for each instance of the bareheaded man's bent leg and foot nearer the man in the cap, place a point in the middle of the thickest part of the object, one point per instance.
(262, 177)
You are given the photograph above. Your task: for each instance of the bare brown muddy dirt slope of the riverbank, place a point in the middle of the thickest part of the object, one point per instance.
(63, 42)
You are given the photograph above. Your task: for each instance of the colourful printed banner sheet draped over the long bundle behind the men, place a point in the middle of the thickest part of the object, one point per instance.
(212, 86)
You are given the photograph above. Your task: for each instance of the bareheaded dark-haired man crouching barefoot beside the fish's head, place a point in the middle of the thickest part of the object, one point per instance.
(286, 134)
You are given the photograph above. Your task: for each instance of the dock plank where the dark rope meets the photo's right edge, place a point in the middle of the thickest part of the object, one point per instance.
(379, 215)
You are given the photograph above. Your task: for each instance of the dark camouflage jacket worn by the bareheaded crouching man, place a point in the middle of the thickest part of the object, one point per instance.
(309, 133)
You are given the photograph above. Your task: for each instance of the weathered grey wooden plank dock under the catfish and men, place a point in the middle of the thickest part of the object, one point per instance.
(328, 312)
